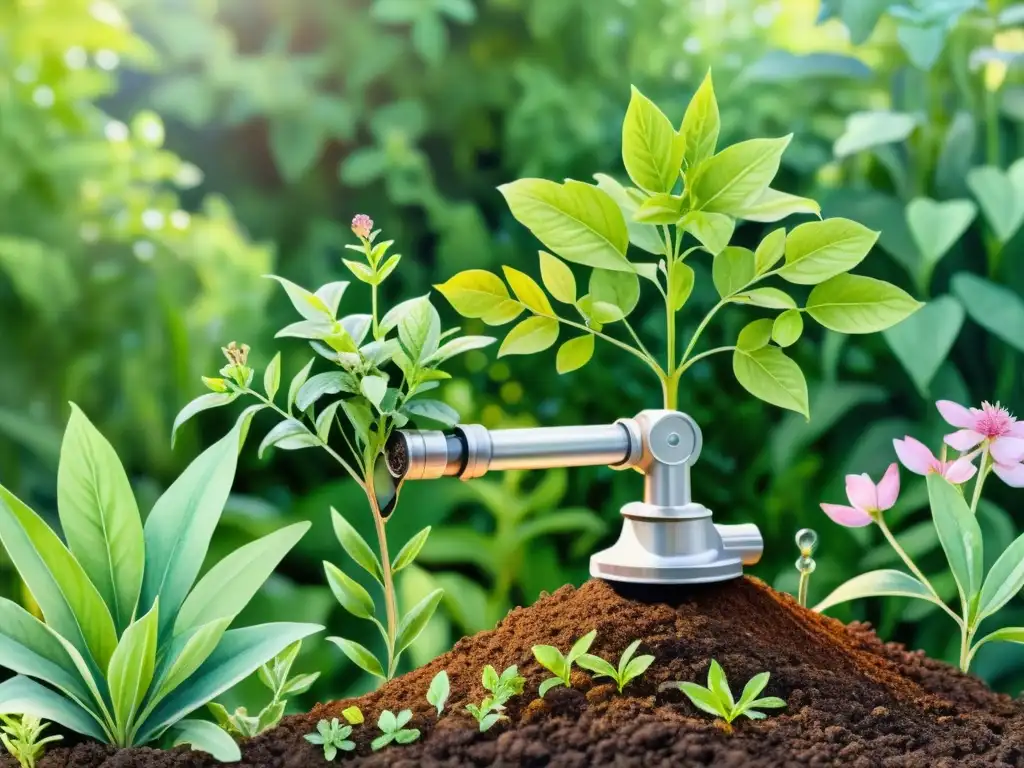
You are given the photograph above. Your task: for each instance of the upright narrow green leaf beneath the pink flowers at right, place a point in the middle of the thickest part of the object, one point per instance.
(960, 535)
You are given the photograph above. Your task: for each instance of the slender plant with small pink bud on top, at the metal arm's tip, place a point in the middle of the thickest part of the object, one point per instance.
(382, 367)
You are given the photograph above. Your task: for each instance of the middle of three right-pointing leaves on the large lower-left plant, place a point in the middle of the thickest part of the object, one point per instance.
(229, 586)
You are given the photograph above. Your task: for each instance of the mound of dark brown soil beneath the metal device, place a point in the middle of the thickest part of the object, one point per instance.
(852, 700)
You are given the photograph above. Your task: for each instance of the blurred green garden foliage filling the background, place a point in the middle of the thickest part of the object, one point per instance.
(123, 270)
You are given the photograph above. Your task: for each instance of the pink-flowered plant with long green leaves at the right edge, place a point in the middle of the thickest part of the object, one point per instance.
(994, 439)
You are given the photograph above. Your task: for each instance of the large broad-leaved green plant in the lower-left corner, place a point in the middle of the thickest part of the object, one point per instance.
(132, 644)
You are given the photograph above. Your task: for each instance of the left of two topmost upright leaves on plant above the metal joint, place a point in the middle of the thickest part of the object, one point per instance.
(653, 153)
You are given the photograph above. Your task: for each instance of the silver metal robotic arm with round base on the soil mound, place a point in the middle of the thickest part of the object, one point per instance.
(666, 538)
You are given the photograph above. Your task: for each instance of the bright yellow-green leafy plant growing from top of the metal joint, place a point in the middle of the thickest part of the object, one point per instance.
(686, 192)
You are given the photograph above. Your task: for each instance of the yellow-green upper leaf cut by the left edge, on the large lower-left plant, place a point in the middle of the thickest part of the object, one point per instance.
(72, 606)
